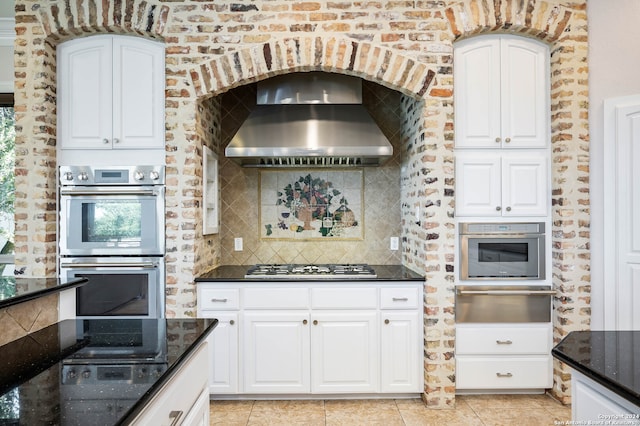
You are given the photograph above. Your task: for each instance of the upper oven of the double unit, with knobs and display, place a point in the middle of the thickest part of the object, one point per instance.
(111, 211)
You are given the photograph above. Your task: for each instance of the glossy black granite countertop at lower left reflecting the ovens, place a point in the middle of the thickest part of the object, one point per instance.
(49, 376)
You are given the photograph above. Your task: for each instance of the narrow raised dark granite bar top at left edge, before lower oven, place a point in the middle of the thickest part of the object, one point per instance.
(14, 290)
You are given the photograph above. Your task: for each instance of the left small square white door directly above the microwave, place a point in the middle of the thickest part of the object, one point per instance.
(478, 182)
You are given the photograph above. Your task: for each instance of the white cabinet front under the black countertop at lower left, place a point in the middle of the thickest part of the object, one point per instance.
(184, 399)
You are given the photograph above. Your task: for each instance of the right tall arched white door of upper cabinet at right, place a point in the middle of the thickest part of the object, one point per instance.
(524, 93)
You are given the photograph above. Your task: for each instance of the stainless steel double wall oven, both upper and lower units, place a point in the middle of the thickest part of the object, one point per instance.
(112, 232)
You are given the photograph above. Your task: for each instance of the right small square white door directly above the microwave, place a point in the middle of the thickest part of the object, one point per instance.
(524, 185)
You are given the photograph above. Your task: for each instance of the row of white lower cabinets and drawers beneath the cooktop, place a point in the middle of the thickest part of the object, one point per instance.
(314, 338)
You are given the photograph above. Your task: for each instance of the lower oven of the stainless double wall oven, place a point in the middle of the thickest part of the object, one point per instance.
(123, 287)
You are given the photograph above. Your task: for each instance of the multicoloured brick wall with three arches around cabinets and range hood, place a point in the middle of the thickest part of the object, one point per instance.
(215, 46)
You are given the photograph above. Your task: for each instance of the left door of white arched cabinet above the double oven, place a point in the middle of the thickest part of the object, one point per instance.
(84, 93)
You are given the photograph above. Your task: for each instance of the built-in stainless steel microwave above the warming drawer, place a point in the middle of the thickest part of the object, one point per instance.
(502, 251)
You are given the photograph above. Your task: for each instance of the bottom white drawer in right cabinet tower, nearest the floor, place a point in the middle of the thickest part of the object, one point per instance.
(503, 372)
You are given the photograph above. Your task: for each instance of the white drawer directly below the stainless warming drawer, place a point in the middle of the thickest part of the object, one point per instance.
(503, 340)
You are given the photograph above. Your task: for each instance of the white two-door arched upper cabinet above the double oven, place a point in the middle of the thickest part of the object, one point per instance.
(111, 93)
